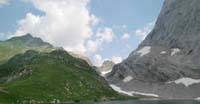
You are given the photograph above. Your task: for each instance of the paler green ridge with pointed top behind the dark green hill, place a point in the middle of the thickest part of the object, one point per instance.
(21, 44)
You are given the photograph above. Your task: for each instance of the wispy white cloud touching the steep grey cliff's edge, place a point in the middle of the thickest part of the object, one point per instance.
(143, 32)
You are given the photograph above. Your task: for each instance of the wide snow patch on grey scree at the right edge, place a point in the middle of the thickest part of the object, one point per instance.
(186, 81)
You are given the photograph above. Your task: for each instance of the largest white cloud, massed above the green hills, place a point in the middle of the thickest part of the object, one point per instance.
(66, 23)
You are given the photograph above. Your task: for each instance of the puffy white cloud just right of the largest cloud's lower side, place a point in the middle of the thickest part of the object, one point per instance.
(104, 35)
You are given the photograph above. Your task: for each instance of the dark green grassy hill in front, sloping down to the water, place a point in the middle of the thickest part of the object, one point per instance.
(55, 76)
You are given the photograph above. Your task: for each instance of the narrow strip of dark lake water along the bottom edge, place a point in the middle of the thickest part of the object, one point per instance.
(150, 102)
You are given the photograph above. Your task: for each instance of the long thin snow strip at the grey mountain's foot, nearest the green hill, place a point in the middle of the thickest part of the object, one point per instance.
(131, 93)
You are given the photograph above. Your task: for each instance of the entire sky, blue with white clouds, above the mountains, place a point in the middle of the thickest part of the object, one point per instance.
(99, 29)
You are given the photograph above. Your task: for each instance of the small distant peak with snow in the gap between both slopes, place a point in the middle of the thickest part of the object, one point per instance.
(106, 67)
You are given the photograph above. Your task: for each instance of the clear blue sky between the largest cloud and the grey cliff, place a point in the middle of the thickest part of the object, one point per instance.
(135, 14)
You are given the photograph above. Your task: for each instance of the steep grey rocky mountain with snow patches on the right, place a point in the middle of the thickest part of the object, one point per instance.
(167, 63)
